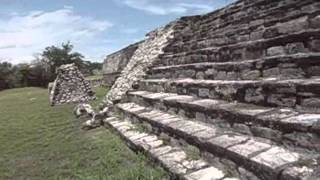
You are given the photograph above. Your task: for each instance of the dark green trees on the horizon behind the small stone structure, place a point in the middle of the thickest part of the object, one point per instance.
(42, 70)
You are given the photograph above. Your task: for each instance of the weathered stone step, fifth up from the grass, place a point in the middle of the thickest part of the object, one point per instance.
(301, 65)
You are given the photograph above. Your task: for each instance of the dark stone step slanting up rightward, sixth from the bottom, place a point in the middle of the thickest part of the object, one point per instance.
(306, 41)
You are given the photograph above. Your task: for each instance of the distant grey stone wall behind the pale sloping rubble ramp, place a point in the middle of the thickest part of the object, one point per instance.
(116, 62)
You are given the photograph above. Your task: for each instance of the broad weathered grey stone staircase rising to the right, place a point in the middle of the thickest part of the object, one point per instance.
(240, 85)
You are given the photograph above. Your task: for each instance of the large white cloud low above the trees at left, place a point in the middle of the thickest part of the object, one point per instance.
(23, 35)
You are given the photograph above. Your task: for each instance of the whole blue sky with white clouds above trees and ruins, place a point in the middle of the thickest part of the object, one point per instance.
(95, 27)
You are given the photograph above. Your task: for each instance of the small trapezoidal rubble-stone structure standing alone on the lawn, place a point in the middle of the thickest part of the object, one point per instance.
(70, 86)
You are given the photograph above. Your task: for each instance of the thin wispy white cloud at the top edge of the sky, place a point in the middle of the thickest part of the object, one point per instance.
(160, 7)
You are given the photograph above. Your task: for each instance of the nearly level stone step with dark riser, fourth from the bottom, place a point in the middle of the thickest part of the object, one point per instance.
(300, 93)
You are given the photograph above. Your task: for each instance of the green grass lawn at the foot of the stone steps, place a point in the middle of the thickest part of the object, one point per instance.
(38, 141)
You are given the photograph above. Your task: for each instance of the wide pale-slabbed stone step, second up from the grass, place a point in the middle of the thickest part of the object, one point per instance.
(266, 160)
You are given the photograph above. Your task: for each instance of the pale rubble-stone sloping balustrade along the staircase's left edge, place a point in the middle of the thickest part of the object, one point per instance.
(143, 58)
